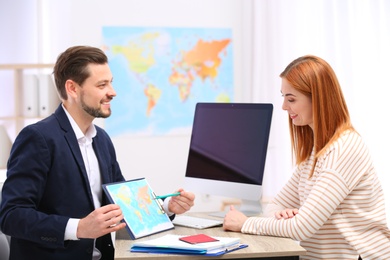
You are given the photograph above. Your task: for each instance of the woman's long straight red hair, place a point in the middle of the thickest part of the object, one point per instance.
(315, 78)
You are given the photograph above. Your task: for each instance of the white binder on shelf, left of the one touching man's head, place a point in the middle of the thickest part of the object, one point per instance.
(30, 96)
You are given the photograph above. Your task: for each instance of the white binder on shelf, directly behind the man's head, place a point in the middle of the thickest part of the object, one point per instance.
(48, 97)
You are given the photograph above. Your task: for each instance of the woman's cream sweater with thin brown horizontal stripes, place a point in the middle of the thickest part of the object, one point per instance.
(341, 208)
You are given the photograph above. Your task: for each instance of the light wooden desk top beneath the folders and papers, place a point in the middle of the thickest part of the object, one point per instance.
(259, 247)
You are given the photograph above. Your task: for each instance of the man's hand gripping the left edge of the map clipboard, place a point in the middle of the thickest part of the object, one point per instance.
(101, 221)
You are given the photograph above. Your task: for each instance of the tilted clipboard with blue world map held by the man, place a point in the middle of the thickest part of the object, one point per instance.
(142, 213)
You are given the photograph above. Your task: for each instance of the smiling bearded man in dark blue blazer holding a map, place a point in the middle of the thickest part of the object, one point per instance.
(53, 205)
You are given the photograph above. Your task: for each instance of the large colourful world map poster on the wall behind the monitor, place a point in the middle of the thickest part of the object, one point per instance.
(161, 73)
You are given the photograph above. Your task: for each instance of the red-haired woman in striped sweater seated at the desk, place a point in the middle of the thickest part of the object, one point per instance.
(333, 203)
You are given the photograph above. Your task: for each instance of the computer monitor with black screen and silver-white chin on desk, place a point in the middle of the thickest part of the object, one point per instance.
(228, 150)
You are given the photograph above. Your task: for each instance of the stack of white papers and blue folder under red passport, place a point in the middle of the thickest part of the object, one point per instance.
(171, 244)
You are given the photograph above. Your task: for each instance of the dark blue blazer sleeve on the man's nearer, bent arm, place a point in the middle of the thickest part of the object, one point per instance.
(28, 168)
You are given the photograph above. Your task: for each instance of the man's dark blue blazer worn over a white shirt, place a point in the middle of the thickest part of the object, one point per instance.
(47, 184)
